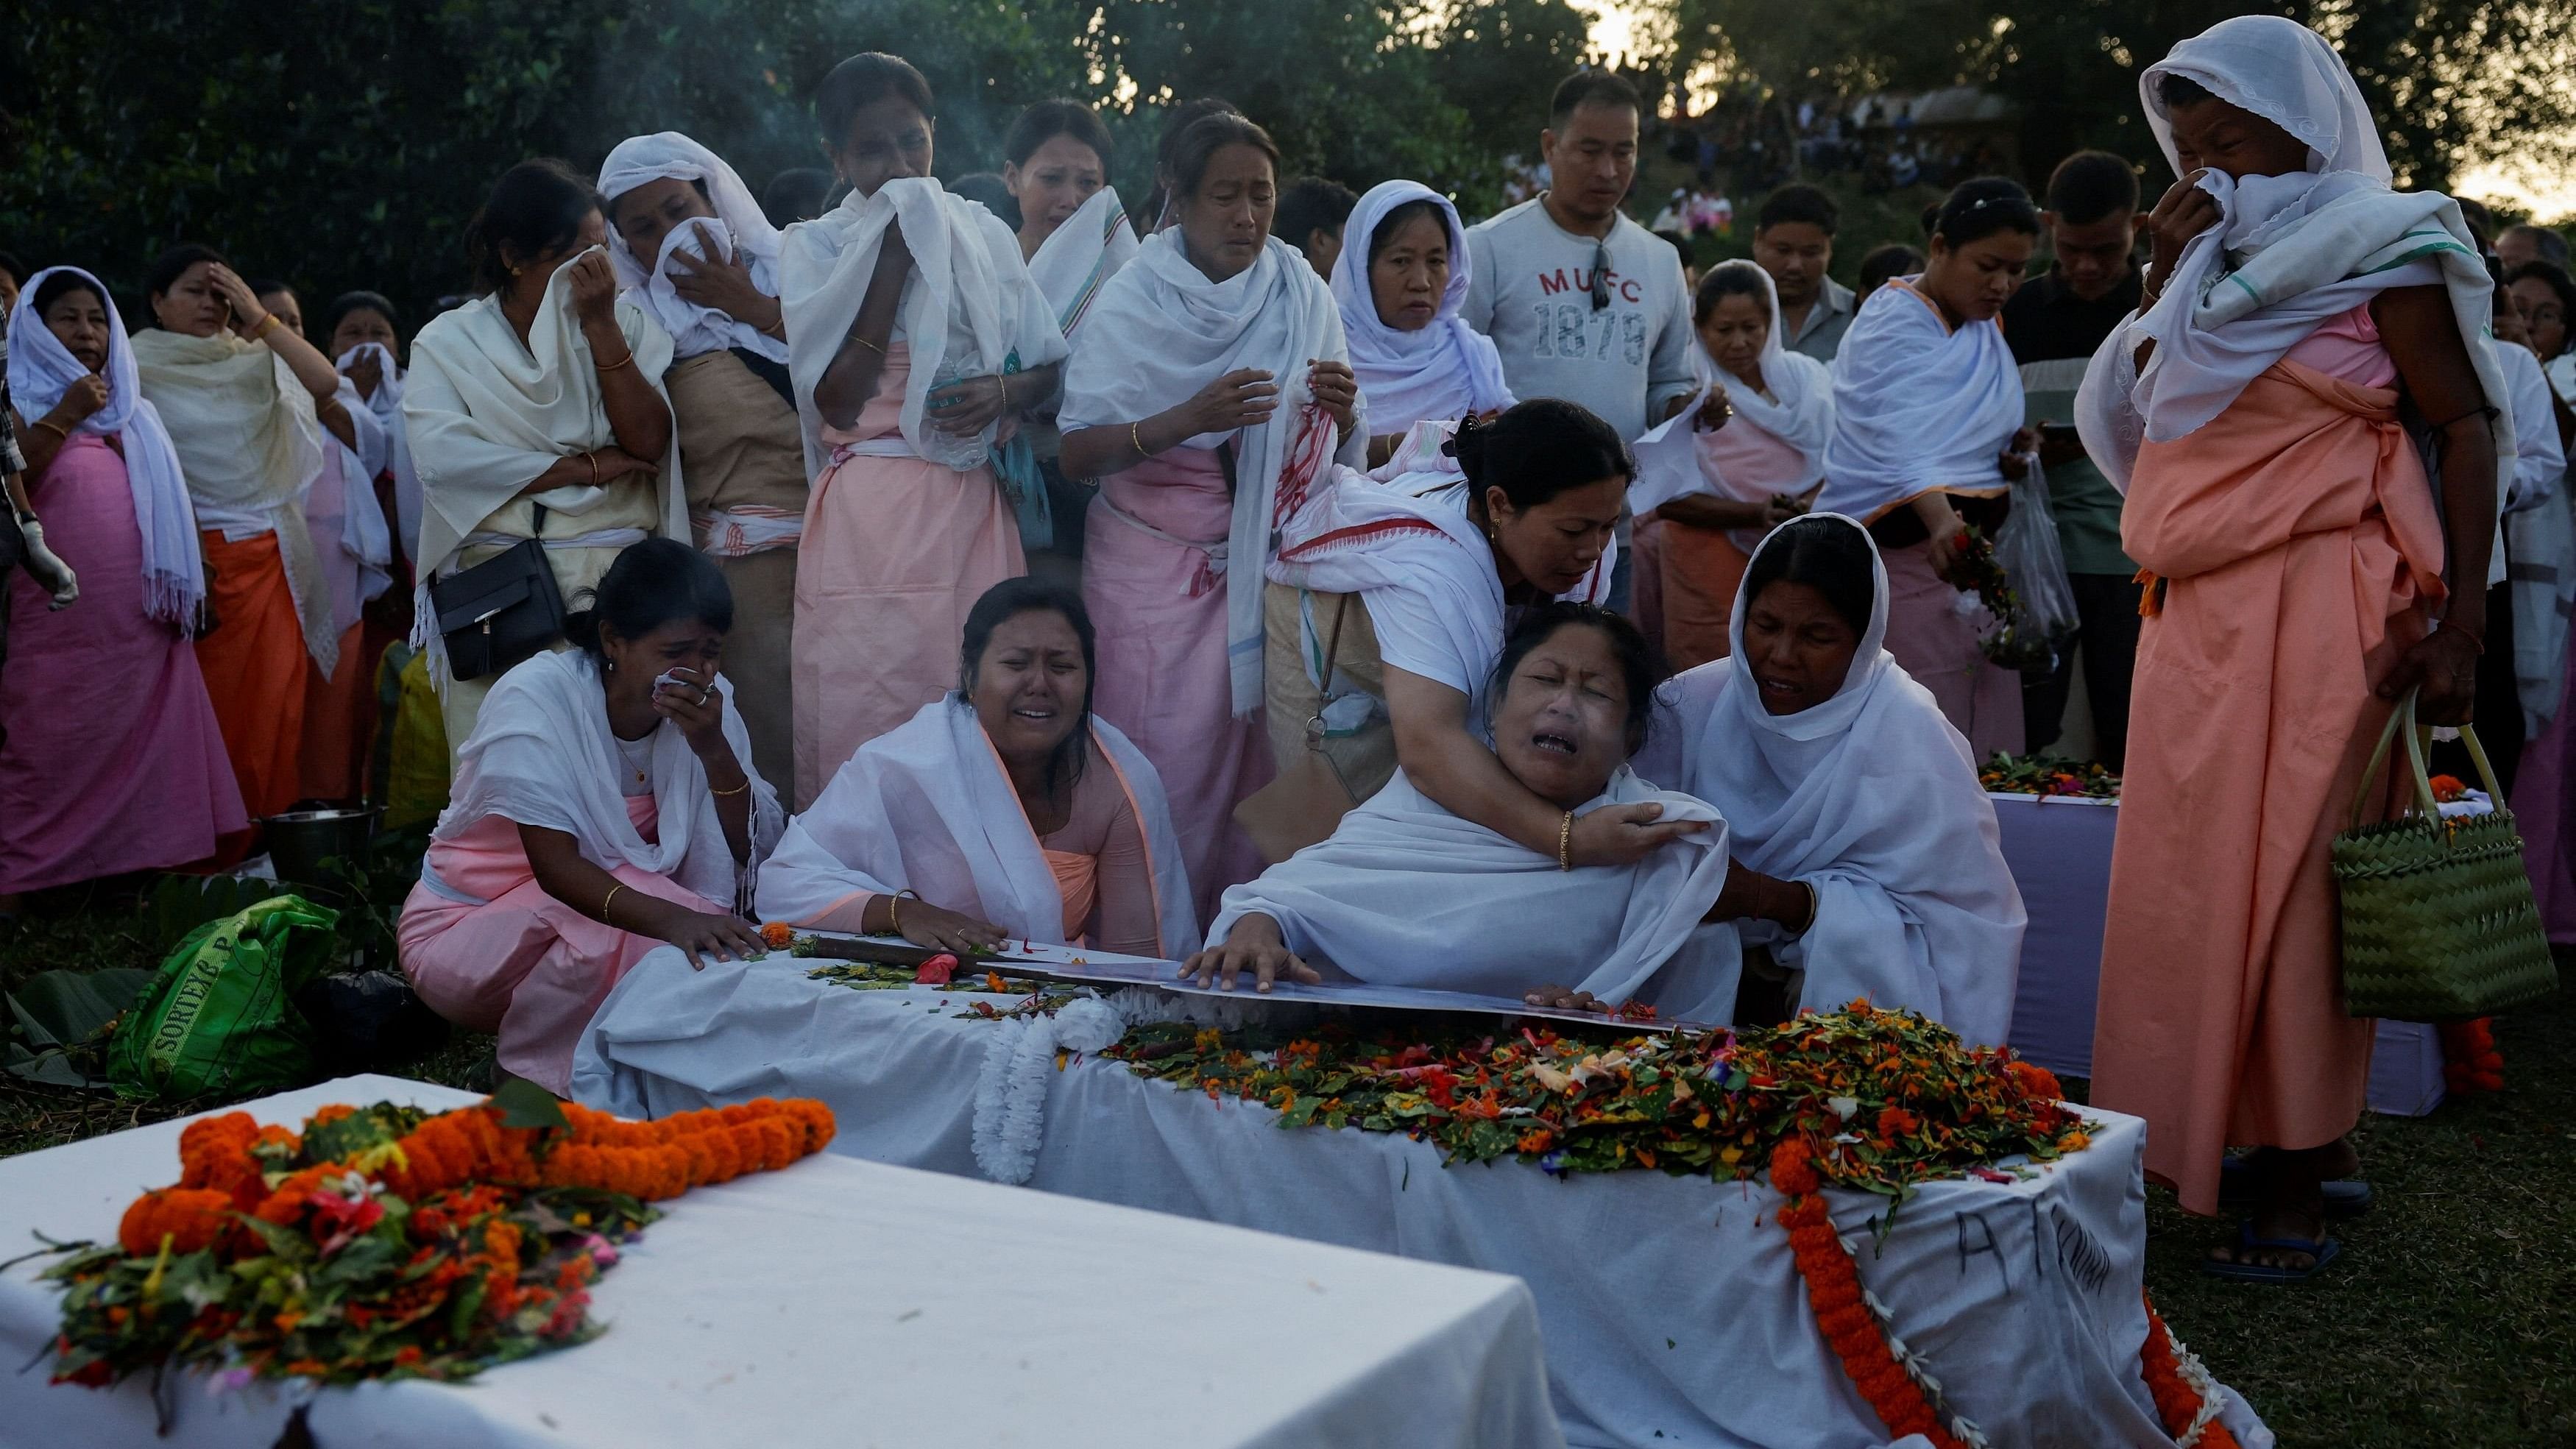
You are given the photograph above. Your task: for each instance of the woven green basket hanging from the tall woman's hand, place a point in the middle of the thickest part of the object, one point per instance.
(2438, 915)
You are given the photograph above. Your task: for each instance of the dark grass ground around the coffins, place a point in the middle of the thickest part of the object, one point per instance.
(2451, 1316)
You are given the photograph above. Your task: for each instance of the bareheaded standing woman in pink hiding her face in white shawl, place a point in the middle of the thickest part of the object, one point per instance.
(916, 341)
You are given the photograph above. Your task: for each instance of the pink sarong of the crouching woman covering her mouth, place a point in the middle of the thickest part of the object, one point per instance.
(496, 954)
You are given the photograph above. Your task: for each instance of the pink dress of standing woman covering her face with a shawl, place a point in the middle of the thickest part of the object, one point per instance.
(895, 552)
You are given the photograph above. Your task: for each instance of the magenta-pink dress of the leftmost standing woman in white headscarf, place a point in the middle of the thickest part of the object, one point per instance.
(112, 758)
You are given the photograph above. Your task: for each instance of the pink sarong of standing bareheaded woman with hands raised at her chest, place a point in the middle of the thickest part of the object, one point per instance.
(1155, 583)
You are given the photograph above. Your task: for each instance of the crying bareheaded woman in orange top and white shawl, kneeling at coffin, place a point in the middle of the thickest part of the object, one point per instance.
(1003, 812)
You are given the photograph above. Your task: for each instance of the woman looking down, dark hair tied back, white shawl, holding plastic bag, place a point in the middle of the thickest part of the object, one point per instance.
(1928, 439)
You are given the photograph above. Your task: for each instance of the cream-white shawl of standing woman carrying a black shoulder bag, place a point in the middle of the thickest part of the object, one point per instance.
(488, 416)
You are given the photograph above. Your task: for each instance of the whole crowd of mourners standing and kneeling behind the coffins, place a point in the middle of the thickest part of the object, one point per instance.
(1279, 578)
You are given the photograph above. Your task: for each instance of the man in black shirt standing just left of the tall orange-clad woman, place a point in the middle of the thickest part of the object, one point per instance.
(2054, 326)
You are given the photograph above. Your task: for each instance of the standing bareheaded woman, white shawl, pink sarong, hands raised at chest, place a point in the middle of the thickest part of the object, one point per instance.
(1209, 398)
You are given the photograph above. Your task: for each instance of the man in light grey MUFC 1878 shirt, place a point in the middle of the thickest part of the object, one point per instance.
(1580, 300)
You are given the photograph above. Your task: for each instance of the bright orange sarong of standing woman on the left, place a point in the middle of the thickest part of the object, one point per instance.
(256, 670)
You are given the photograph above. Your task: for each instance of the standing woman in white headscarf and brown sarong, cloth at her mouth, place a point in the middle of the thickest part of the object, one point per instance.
(694, 251)
